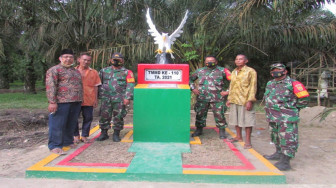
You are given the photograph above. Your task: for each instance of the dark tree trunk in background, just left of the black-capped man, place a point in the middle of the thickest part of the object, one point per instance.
(30, 76)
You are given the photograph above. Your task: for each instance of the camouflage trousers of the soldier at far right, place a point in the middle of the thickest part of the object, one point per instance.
(285, 137)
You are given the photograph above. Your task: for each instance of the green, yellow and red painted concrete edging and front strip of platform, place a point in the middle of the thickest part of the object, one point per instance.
(160, 162)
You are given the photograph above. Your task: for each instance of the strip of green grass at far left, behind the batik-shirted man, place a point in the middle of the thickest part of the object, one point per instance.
(21, 100)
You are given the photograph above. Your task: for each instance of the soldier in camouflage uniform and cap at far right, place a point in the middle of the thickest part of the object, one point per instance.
(284, 97)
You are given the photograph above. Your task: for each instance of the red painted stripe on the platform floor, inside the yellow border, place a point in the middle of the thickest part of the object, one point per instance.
(246, 163)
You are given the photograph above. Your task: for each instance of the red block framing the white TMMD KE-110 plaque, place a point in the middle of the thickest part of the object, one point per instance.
(183, 67)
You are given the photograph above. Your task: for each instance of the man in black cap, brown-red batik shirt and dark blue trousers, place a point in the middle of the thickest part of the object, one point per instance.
(64, 93)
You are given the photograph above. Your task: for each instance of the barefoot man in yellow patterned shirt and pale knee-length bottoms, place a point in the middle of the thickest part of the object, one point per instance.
(242, 91)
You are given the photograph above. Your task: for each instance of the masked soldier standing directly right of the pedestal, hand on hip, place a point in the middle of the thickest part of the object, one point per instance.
(210, 92)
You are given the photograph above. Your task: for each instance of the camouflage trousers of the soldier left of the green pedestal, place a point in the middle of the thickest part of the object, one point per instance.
(112, 110)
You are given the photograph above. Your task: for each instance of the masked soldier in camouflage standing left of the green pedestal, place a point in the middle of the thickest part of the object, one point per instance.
(115, 93)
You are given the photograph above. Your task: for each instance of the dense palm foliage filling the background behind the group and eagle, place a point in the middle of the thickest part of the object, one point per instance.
(264, 30)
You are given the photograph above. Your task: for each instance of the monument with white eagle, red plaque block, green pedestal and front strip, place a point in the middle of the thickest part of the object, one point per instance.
(161, 110)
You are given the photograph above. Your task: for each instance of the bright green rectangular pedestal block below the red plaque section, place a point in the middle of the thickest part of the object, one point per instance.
(161, 114)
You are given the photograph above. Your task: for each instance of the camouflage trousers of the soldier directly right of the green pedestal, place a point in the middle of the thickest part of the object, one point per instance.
(218, 109)
